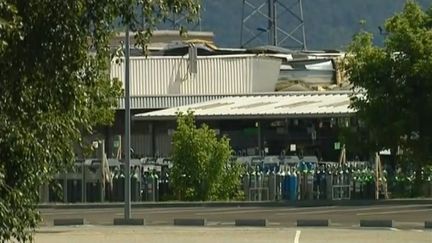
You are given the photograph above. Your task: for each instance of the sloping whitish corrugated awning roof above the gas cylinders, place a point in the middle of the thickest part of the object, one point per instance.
(263, 106)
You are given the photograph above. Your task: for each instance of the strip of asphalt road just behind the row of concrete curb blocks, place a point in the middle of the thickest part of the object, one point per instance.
(405, 216)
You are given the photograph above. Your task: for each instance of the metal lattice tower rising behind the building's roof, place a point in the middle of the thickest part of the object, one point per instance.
(273, 22)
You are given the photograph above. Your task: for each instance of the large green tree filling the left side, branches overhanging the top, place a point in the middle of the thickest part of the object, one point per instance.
(55, 86)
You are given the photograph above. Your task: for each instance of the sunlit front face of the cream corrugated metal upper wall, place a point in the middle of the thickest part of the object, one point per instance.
(163, 76)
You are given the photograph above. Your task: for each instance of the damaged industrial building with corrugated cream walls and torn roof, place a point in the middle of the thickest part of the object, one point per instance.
(268, 100)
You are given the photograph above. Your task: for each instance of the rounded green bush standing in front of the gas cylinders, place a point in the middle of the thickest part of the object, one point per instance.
(202, 168)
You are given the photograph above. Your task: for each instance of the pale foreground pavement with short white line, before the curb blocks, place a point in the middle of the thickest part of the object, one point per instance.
(111, 234)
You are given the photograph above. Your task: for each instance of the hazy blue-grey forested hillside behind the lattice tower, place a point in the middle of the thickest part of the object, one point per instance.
(329, 24)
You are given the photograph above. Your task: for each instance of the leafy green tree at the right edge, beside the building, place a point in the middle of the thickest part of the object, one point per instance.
(393, 83)
